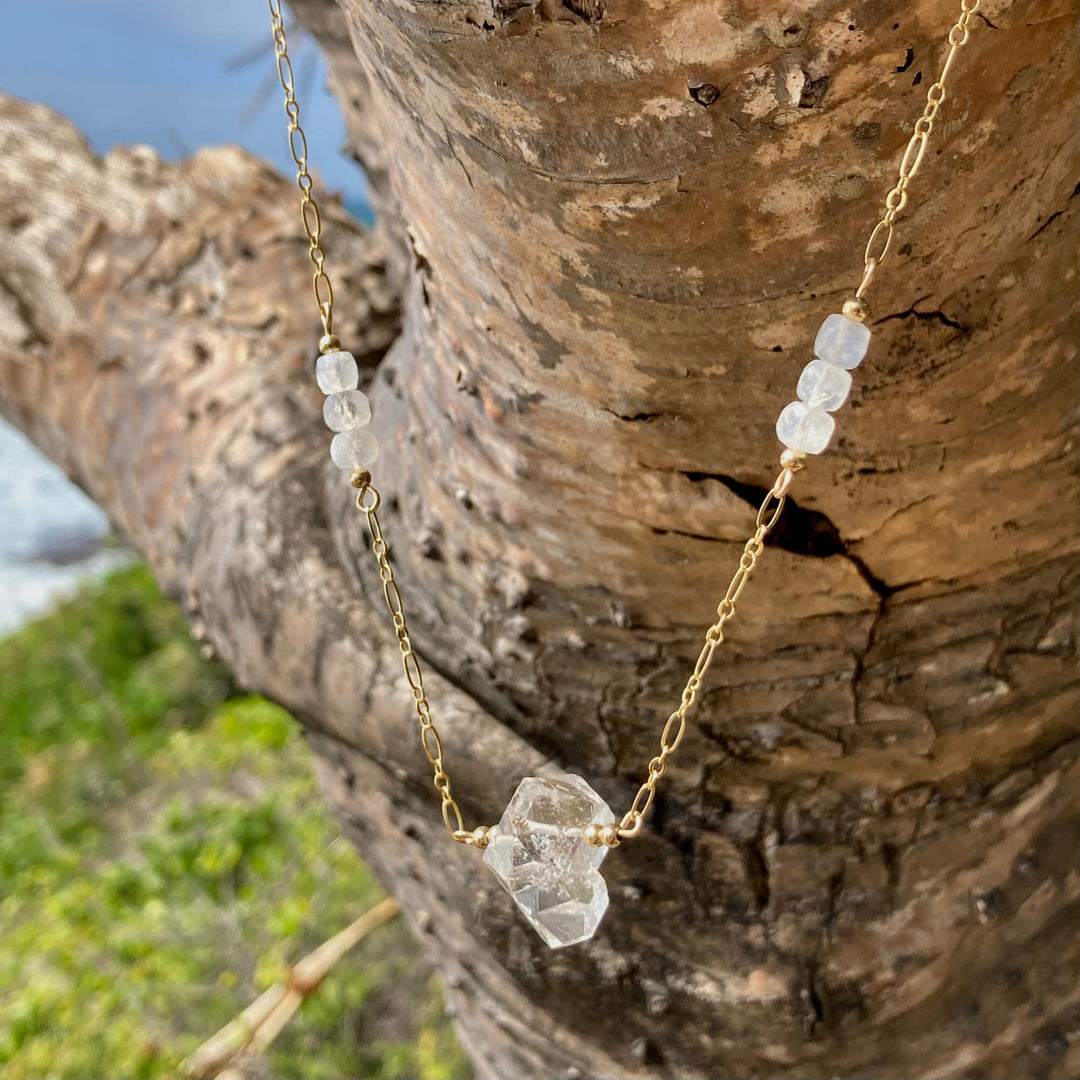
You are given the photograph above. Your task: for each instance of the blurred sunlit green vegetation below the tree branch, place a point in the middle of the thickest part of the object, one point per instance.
(166, 853)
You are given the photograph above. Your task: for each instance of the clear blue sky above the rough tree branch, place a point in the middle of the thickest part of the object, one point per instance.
(157, 72)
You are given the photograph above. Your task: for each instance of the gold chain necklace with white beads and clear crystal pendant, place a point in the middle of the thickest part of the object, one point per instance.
(556, 832)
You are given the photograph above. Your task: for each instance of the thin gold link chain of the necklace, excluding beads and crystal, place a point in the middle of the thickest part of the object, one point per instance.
(368, 498)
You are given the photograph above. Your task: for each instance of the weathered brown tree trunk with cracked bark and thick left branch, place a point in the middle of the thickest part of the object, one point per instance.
(610, 234)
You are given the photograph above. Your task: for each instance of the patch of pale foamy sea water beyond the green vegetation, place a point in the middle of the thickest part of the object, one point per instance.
(52, 536)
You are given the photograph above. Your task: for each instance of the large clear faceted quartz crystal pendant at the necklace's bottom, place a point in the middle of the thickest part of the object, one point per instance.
(542, 858)
